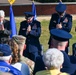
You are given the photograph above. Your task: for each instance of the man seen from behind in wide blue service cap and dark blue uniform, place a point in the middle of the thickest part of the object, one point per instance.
(59, 41)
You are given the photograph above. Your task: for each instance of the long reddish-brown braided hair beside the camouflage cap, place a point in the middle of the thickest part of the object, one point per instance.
(15, 51)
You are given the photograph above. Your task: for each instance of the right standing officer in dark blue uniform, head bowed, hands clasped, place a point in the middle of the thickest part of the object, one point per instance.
(61, 20)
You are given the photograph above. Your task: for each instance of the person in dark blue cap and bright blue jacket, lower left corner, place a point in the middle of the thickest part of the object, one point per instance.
(5, 60)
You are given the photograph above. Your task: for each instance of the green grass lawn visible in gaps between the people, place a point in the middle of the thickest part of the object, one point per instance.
(45, 33)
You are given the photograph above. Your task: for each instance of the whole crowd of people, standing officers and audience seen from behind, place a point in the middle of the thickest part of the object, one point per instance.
(21, 54)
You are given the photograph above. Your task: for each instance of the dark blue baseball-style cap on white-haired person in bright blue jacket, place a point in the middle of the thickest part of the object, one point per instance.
(5, 50)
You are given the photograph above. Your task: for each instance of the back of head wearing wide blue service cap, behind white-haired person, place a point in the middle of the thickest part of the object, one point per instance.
(60, 38)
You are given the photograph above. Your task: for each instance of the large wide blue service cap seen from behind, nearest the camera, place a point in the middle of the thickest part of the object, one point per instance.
(60, 35)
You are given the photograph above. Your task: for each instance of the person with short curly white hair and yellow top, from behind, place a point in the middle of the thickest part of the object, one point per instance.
(53, 60)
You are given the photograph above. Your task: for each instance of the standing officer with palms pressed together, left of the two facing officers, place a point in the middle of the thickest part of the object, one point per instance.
(31, 29)
